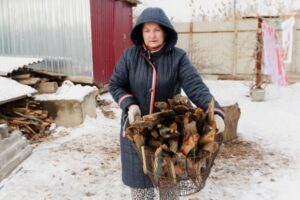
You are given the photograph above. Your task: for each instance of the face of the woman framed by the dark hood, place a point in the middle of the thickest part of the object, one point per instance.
(153, 35)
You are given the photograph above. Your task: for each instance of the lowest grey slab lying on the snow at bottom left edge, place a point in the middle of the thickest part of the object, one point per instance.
(14, 162)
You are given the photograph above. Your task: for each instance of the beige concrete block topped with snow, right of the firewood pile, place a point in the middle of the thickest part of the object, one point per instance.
(70, 113)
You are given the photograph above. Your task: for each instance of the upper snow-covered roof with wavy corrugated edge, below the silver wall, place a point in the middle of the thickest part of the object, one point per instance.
(9, 64)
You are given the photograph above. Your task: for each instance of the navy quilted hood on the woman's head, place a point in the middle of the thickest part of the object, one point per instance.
(156, 15)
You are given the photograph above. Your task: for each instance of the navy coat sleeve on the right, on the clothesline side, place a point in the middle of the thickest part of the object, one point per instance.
(194, 87)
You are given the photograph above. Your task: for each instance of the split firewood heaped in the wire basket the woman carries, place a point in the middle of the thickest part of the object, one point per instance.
(176, 144)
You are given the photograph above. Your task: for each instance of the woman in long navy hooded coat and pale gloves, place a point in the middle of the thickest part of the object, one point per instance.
(153, 69)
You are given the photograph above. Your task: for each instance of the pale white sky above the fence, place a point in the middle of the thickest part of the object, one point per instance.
(185, 10)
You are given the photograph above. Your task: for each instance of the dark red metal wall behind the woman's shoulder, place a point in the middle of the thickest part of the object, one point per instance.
(111, 23)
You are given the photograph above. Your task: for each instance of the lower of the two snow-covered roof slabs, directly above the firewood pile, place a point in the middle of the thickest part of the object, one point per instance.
(11, 90)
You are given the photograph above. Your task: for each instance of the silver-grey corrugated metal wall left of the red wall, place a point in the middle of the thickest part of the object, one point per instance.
(57, 30)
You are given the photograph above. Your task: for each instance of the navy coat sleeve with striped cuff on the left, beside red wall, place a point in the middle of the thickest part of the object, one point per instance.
(119, 86)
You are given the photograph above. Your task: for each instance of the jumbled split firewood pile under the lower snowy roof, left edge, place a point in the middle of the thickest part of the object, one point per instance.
(29, 117)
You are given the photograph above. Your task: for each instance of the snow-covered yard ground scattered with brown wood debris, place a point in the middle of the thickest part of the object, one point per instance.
(84, 162)
